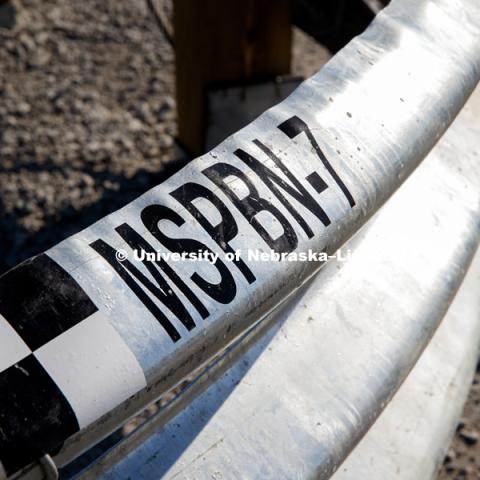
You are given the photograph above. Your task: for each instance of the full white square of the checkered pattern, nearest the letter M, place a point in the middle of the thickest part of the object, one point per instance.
(93, 367)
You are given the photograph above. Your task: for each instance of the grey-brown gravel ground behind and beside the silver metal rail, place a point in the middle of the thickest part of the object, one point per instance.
(87, 121)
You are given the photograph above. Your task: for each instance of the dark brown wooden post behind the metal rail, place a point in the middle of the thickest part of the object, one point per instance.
(224, 42)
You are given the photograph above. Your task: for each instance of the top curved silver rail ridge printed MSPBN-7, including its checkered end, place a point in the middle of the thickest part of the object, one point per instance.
(94, 336)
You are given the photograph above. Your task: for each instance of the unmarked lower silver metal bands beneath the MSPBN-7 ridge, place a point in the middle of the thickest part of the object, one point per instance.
(294, 397)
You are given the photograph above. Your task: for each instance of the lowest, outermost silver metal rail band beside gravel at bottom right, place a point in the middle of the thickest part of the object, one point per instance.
(410, 439)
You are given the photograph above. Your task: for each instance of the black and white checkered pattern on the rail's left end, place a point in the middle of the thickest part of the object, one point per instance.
(62, 364)
